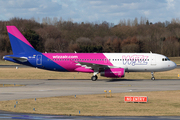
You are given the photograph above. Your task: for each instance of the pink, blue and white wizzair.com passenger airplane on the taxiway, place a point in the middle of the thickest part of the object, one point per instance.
(112, 65)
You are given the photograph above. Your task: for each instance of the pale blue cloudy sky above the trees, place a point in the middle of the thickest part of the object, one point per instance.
(91, 10)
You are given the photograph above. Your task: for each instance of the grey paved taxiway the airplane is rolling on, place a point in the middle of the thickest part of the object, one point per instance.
(59, 87)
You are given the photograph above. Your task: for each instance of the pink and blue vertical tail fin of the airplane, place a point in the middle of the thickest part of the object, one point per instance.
(19, 43)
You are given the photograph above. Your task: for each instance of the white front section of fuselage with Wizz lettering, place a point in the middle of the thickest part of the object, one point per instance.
(140, 62)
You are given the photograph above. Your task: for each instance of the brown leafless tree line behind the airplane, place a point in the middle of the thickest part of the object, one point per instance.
(58, 35)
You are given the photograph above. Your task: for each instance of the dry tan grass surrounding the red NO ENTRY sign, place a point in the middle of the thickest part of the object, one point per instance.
(161, 103)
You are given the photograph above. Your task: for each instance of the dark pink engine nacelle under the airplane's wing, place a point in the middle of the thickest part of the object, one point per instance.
(114, 73)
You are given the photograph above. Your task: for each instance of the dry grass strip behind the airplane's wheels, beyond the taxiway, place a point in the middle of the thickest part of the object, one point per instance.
(33, 73)
